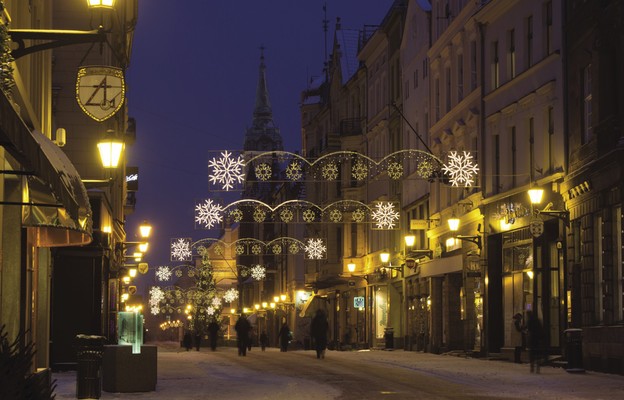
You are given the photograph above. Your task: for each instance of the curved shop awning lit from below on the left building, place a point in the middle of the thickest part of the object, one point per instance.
(57, 199)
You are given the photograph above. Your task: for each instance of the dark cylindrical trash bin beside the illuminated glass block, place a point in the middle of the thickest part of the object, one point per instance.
(89, 376)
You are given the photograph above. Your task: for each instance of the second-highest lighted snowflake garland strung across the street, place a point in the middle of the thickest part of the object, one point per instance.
(383, 215)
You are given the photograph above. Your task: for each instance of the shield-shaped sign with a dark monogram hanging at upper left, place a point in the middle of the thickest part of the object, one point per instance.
(100, 91)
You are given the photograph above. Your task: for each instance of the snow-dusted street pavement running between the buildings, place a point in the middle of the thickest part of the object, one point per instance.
(354, 375)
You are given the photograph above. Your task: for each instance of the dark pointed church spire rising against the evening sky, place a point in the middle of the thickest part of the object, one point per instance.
(263, 134)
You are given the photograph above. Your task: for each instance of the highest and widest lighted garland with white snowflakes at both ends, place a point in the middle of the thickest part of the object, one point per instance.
(228, 171)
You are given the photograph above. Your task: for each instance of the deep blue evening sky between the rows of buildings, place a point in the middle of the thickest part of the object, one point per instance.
(191, 88)
